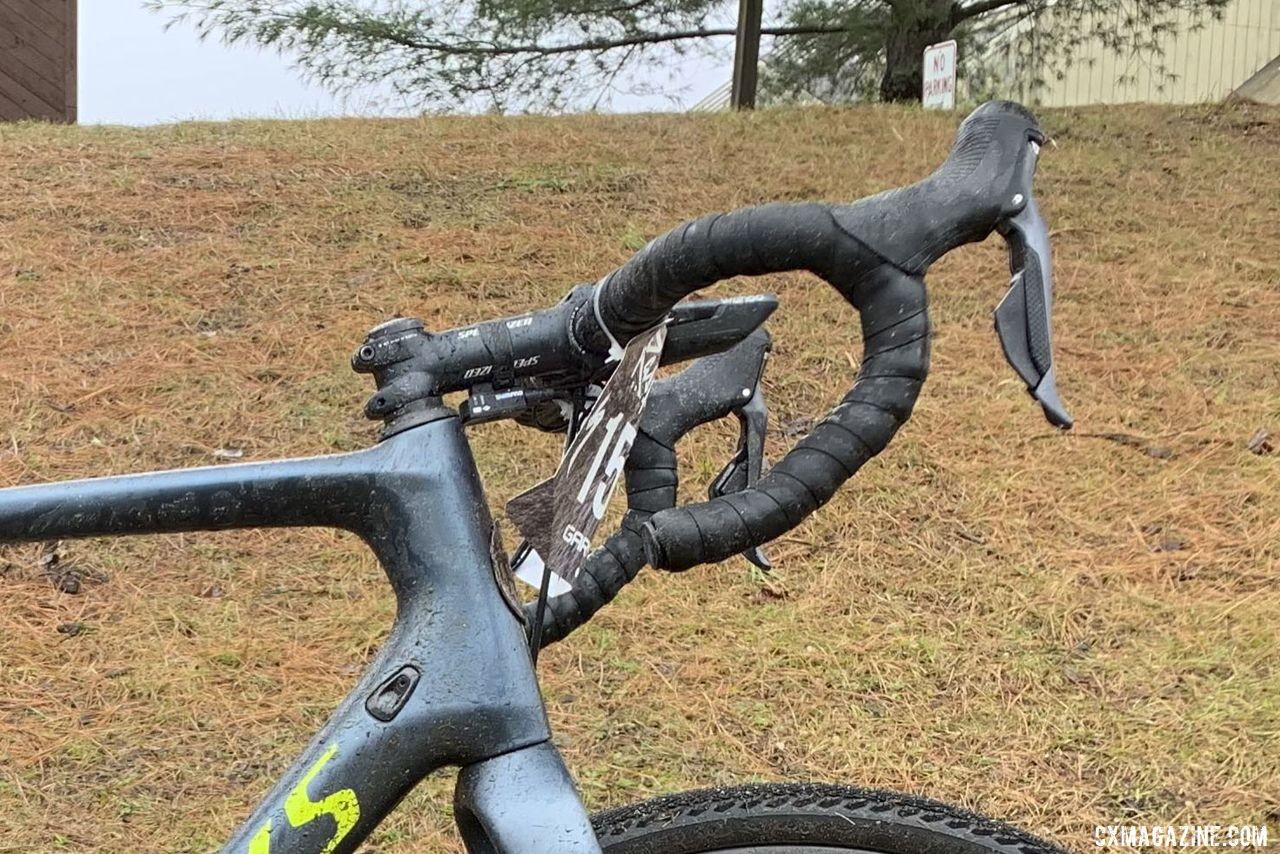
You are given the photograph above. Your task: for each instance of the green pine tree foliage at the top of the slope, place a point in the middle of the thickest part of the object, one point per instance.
(556, 54)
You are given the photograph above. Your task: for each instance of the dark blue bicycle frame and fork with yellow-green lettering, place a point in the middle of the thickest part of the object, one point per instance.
(455, 677)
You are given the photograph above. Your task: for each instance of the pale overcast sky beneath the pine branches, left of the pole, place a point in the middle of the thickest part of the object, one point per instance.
(135, 72)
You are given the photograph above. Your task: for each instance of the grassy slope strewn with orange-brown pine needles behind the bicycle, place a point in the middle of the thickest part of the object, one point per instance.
(1059, 631)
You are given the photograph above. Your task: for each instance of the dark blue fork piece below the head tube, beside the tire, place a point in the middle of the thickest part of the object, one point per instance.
(523, 803)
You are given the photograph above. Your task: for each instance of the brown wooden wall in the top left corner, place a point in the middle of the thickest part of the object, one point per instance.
(38, 60)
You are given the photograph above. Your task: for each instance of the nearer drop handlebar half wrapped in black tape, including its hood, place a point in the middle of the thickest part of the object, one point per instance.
(875, 253)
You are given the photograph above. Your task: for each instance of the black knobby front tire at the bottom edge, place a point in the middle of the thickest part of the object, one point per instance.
(806, 819)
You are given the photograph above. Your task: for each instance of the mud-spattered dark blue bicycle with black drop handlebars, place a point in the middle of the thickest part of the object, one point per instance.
(455, 683)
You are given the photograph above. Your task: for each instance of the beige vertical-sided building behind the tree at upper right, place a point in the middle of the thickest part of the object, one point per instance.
(1238, 54)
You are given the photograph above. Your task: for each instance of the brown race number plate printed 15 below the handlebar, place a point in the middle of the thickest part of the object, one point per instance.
(560, 517)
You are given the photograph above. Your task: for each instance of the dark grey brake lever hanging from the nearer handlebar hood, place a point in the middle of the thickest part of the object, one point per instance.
(1025, 316)
